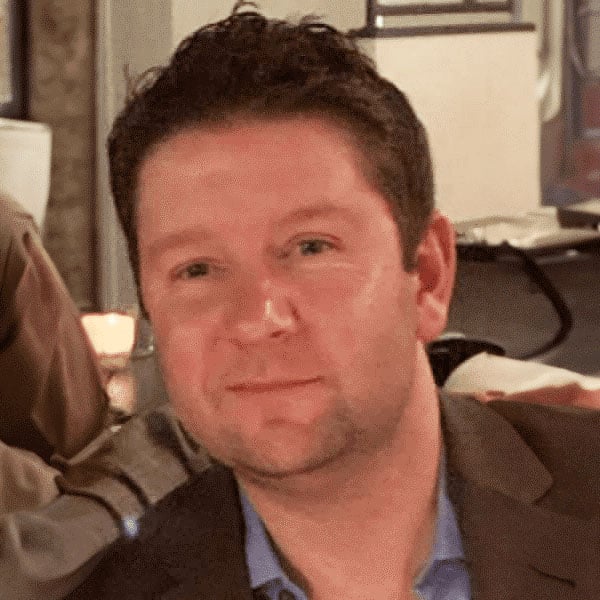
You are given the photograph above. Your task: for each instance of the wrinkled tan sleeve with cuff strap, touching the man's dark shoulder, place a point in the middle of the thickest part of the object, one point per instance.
(47, 551)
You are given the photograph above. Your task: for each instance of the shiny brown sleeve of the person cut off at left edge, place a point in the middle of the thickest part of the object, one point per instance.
(51, 392)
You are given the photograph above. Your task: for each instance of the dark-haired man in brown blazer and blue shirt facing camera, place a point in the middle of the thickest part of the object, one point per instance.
(277, 197)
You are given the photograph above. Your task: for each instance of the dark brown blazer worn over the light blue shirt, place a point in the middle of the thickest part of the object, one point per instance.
(525, 481)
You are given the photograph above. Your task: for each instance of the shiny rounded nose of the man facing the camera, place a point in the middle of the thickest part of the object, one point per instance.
(263, 309)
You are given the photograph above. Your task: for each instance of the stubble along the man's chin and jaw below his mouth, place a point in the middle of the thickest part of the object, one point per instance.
(275, 452)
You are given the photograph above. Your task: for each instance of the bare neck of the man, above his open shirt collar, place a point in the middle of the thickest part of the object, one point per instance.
(368, 522)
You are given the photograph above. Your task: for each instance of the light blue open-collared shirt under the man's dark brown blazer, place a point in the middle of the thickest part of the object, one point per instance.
(444, 577)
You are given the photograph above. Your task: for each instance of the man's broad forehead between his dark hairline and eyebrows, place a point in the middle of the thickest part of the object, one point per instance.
(252, 171)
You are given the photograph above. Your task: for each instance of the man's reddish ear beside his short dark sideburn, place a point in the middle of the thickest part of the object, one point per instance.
(436, 265)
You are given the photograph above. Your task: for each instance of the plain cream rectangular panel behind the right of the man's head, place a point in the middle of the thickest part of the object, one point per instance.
(480, 112)
